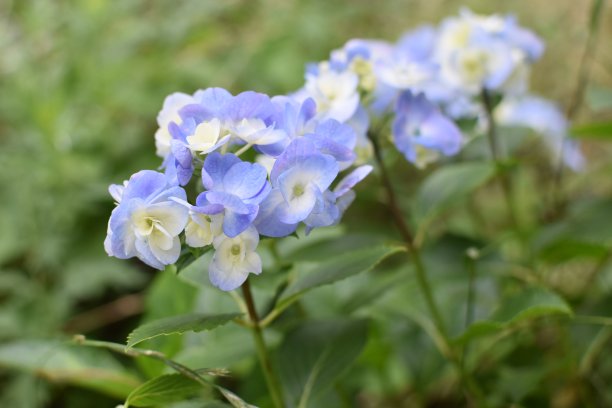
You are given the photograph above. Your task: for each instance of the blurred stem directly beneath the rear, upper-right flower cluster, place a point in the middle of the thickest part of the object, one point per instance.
(503, 178)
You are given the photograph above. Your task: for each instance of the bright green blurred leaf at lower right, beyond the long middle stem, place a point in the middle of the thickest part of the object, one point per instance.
(523, 306)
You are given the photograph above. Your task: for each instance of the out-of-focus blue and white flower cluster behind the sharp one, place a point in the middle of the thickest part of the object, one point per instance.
(428, 80)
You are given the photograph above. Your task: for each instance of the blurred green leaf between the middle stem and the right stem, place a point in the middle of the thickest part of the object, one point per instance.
(447, 186)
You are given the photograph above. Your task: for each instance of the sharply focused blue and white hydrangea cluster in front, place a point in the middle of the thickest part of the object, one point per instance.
(297, 156)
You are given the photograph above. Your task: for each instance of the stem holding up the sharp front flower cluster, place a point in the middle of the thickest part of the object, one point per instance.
(262, 352)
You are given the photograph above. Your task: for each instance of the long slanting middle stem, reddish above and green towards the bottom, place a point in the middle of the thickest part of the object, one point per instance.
(421, 274)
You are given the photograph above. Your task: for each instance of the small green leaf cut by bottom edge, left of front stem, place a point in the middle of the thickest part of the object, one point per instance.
(164, 389)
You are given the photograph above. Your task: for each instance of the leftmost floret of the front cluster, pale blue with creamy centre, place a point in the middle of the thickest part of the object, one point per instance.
(147, 221)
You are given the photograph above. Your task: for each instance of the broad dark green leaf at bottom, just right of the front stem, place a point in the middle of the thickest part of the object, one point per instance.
(313, 355)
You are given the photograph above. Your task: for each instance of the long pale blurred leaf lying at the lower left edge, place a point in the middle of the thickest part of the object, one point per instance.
(62, 363)
